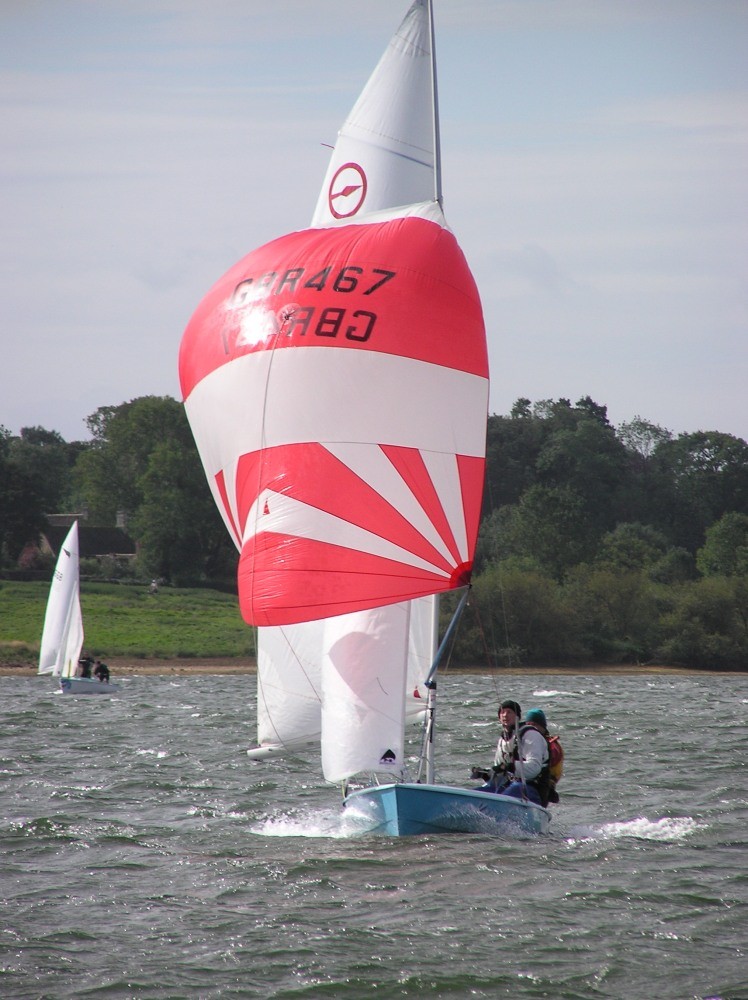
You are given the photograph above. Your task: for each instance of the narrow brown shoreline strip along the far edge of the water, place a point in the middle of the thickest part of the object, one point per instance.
(216, 666)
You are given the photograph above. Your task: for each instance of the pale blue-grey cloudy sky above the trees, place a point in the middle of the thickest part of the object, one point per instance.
(595, 173)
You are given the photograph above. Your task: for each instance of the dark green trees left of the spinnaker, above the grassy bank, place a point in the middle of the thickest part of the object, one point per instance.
(141, 462)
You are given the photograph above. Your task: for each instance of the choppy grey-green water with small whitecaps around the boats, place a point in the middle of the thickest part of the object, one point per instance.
(142, 855)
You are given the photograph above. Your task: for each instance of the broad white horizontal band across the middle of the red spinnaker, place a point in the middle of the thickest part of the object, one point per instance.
(336, 395)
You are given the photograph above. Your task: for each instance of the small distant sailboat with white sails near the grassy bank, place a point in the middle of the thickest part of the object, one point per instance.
(62, 636)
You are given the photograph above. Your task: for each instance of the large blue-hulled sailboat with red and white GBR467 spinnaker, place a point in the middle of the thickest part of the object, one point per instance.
(336, 383)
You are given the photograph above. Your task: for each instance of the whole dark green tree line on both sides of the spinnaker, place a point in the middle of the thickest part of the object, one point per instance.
(597, 543)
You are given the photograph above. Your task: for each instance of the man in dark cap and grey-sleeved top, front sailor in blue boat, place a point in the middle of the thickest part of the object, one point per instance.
(520, 767)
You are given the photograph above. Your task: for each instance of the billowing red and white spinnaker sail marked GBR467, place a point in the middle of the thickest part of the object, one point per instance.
(336, 382)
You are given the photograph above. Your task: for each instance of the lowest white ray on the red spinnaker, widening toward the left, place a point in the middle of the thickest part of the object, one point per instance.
(287, 516)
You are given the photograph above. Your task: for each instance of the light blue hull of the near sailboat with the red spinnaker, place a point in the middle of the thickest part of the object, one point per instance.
(409, 809)
